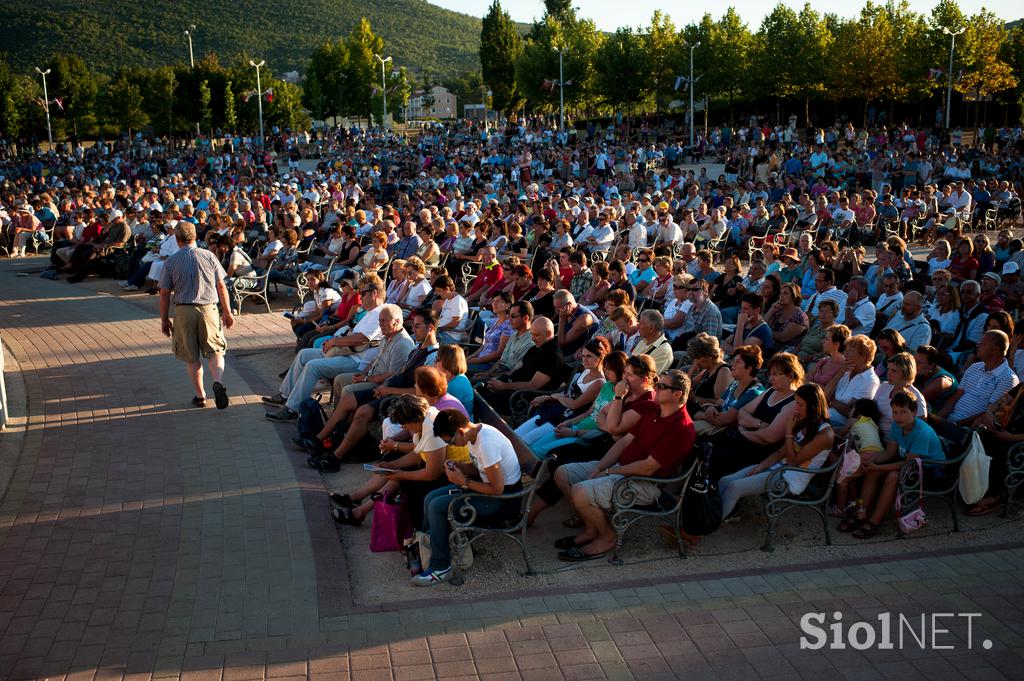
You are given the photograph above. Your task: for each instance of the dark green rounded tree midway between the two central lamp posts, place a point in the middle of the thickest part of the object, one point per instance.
(623, 68)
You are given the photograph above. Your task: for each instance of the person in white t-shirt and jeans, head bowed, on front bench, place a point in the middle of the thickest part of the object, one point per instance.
(494, 472)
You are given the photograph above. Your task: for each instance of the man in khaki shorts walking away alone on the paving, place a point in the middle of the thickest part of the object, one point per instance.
(195, 280)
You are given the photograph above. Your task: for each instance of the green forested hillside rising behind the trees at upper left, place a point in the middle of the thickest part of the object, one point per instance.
(114, 33)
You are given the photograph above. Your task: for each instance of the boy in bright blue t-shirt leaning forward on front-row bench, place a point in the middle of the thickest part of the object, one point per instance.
(910, 438)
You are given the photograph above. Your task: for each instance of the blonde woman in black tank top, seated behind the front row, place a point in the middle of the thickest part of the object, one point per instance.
(761, 427)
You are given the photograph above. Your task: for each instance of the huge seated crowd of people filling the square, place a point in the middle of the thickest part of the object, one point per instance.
(643, 309)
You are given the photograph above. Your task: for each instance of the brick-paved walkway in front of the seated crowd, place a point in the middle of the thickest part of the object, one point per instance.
(144, 539)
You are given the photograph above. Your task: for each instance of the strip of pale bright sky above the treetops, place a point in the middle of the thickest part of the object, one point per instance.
(608, 15)
